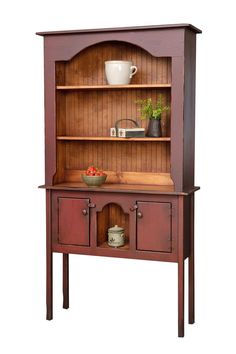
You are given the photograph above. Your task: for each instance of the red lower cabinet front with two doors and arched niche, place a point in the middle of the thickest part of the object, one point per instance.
(83, 220)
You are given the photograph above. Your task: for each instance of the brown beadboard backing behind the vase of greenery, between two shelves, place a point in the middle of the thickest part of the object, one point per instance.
(94, 112)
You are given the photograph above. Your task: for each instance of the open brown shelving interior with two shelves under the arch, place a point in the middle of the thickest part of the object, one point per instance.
(87, 108)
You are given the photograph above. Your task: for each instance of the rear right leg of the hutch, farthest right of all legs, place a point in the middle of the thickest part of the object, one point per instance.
(191, 290)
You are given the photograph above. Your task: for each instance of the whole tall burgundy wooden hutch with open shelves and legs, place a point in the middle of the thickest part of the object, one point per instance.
(150, 185)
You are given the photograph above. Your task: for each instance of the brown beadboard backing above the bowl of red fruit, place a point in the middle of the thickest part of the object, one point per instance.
(119, 156)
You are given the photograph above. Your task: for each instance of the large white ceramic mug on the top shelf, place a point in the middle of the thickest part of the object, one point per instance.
(119, 72)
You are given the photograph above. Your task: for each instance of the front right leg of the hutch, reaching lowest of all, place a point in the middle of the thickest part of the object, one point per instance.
(181, 268)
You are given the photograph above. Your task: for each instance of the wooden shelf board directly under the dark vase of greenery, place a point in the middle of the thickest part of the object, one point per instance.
(108, 138)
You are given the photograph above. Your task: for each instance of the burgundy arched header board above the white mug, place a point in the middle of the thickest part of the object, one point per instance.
(164, 43)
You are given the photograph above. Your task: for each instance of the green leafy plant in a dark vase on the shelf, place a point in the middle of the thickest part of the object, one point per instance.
(152, 111)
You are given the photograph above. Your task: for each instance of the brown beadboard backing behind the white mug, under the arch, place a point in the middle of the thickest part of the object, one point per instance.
(87, 67)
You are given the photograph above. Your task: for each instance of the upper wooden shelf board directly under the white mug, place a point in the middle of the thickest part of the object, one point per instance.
(110, 87)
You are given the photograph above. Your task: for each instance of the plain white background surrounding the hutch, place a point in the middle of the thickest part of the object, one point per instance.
(116, 306)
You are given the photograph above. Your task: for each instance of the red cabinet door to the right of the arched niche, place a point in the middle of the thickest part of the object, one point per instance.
(154, 226)
